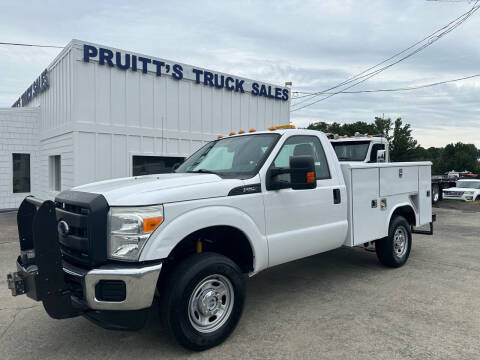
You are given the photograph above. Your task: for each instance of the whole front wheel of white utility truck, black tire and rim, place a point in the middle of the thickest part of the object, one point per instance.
(203, 300)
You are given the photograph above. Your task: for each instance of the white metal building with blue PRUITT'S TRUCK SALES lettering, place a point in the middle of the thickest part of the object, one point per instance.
(98, 113)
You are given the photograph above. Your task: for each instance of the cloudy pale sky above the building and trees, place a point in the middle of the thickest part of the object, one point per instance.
(314, 44)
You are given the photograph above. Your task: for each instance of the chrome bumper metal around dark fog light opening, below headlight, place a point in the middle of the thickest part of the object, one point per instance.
(140, 284)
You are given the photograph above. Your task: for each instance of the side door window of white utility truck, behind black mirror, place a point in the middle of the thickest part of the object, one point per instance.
(302, 145)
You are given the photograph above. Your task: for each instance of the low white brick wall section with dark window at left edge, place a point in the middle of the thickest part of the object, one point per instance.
(18, 134)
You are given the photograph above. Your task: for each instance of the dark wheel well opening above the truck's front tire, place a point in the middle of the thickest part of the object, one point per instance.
(226, 240)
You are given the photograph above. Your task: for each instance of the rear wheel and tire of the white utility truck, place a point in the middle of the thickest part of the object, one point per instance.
(394, 250)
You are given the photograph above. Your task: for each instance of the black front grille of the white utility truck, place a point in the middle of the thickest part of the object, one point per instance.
(86, 217)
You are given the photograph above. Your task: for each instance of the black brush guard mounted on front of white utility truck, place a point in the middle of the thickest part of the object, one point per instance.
(39, 267)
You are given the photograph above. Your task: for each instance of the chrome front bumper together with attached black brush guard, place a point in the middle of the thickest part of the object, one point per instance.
(67, 290)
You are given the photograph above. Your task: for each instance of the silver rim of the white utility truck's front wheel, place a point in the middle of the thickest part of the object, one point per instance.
(211, 303)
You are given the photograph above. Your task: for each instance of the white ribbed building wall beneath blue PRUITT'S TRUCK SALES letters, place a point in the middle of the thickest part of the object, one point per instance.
(118, 114)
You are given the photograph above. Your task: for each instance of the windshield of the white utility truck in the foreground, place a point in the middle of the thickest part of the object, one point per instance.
(236, 157)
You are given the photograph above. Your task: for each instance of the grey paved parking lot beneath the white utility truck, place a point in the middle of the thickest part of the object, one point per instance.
(337, 305)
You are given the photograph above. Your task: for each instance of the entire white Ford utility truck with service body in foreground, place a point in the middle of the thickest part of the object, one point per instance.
(237, 206)
